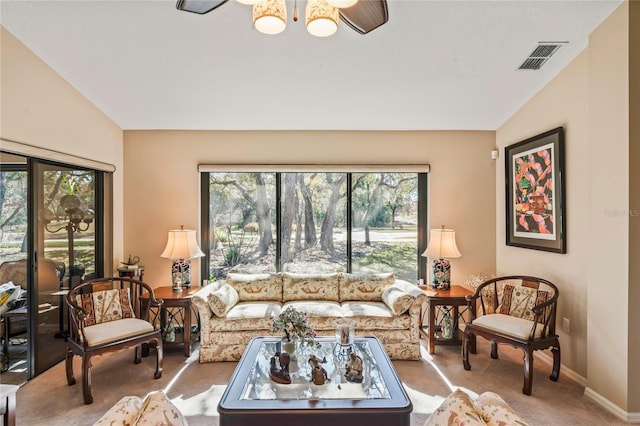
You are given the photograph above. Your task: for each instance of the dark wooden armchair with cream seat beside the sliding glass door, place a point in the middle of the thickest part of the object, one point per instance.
(107, 316)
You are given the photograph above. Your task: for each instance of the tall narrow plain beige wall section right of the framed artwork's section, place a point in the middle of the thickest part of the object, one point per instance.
(608, 327)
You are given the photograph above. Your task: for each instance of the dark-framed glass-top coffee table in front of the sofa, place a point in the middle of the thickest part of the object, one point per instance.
(252, 397)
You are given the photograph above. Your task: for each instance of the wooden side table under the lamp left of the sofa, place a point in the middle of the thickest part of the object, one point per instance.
(177, 304)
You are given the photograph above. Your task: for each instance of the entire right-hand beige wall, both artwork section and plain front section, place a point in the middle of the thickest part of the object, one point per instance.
(589, 98)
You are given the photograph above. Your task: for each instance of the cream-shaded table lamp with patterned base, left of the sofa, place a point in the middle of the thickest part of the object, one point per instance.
(181, 248)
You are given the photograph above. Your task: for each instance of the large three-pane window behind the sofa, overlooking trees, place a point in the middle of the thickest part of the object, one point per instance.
(314, 222)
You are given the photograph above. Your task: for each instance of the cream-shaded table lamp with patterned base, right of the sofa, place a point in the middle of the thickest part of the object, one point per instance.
(442, 245)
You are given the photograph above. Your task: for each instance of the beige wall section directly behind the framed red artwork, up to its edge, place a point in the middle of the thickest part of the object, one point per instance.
(563, 102)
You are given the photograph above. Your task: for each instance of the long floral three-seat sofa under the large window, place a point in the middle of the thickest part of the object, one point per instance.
(242, 307)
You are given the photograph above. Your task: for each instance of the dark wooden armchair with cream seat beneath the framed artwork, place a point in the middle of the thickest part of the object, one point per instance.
(515, 310)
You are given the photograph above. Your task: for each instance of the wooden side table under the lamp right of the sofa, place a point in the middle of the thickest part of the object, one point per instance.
(441, 301)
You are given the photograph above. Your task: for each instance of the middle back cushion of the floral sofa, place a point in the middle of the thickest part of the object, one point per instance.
(310, 287)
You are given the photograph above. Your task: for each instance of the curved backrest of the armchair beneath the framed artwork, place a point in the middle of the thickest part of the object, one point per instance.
(523, 296)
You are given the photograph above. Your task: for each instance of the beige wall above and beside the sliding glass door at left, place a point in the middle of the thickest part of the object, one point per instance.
(41, 109)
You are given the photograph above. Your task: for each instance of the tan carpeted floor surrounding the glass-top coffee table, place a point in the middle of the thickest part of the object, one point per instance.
(196, 388)
